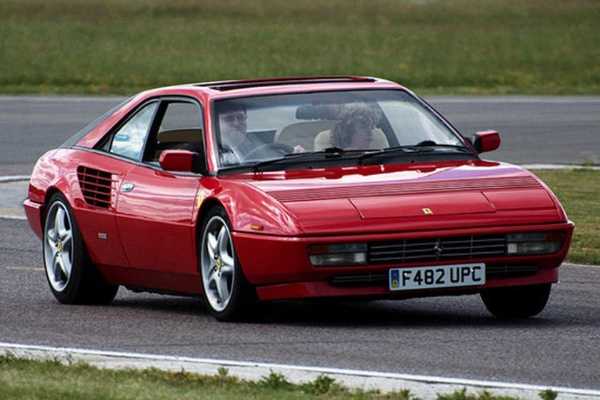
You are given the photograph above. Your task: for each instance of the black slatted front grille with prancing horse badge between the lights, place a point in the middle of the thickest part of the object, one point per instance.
(433, 249)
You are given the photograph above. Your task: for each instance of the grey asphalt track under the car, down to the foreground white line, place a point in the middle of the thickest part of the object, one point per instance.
(447, 336)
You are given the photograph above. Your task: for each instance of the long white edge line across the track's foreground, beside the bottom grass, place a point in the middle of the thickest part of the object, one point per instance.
(320, 370)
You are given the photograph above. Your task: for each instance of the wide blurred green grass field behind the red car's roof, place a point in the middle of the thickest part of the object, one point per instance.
(462, 46)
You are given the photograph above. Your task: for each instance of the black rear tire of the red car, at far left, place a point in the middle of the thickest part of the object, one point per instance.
(84, 284)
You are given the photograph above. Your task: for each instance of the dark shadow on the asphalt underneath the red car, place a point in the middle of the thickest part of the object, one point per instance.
(419, 313)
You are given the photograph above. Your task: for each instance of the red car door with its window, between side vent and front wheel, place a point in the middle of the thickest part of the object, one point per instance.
(155, 207)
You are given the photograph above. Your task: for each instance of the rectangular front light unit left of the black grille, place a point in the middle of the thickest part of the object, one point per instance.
(338, 254)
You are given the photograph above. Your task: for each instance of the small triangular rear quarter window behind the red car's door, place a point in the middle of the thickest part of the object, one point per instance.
(129, 140)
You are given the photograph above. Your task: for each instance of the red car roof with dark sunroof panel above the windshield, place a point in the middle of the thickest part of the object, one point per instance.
(291, 84)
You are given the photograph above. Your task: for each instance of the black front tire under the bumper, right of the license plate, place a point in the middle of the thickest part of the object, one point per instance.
(516, 302)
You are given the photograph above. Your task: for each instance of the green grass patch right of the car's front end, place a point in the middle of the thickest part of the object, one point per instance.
(579, 193)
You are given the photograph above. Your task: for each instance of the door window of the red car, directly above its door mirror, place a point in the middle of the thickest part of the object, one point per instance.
(180, 128)
